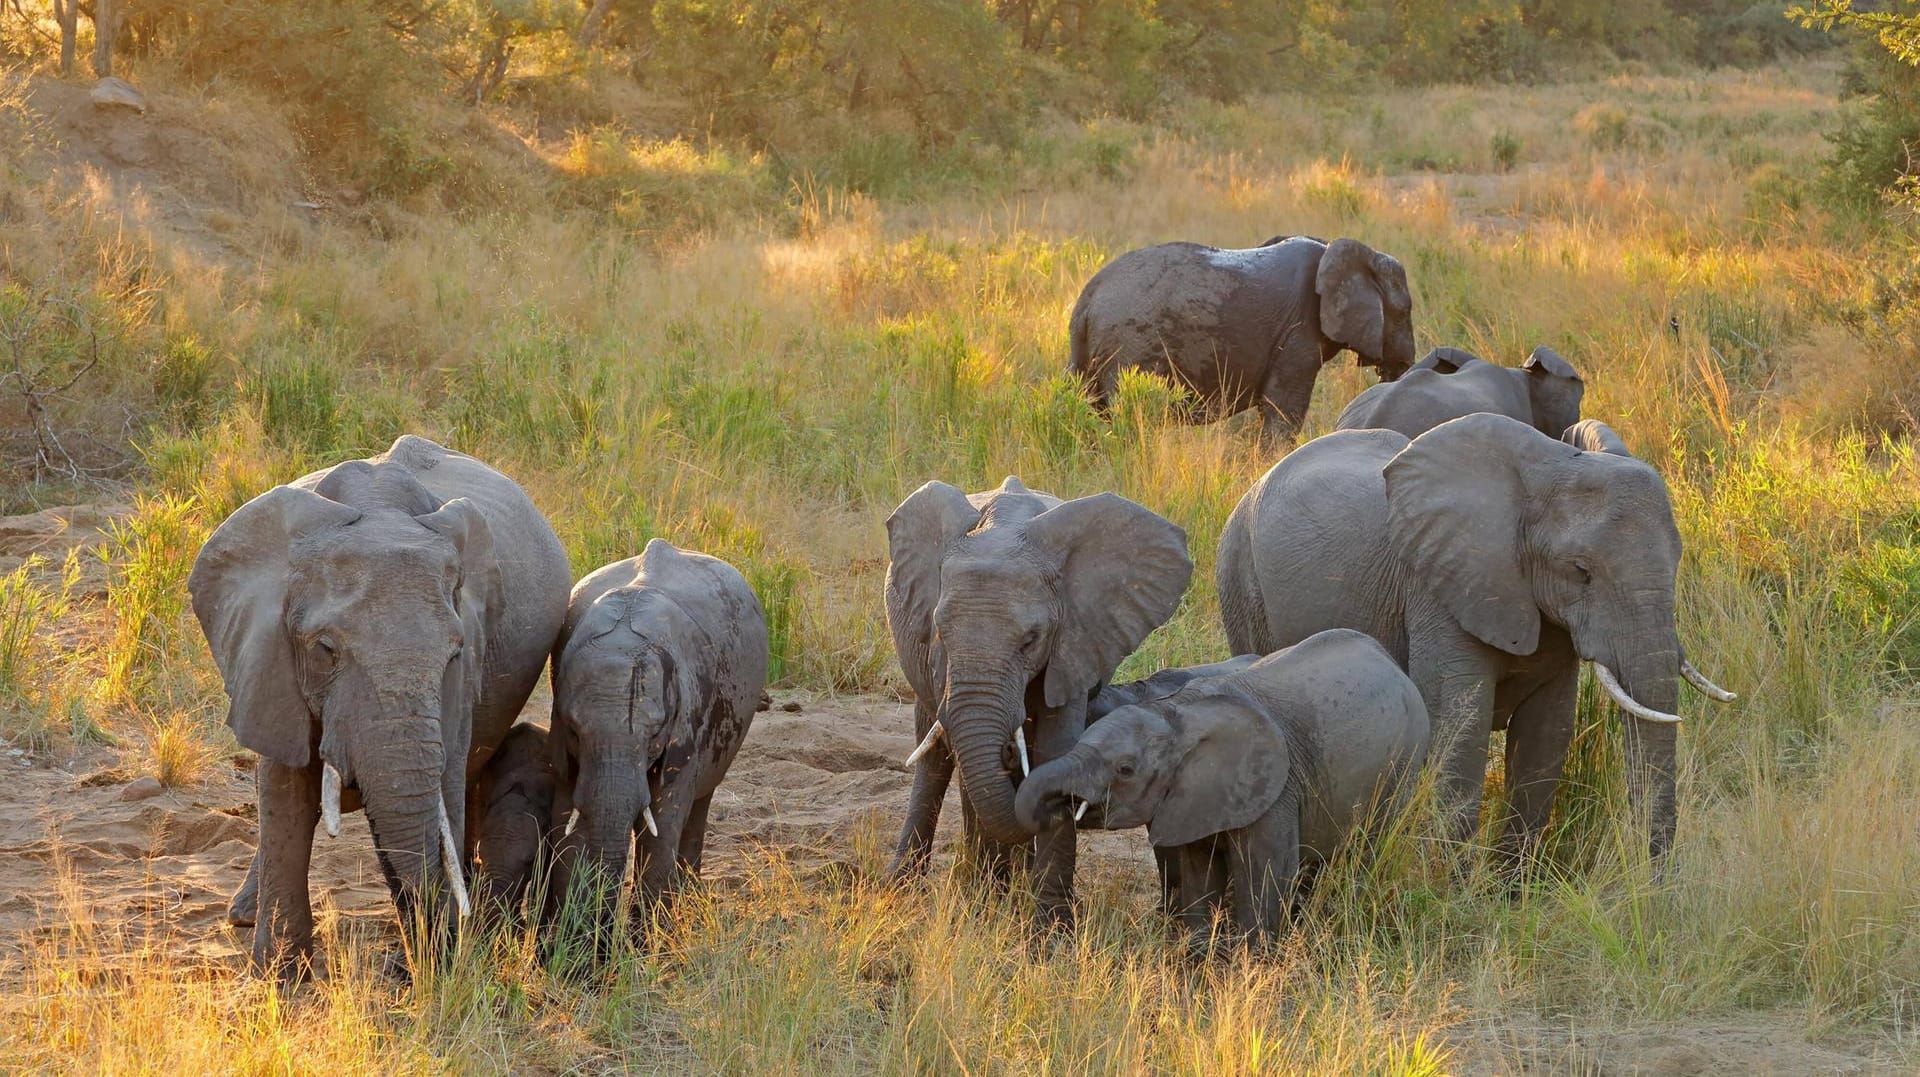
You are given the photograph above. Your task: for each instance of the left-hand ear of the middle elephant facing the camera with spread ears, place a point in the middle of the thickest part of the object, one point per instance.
(919, 535)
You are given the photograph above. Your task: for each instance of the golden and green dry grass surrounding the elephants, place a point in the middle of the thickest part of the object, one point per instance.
(771, 391)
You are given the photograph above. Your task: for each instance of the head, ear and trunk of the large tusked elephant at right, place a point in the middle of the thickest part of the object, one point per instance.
(1512, 529)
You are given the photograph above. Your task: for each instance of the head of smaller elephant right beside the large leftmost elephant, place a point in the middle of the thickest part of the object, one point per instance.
(625, 704)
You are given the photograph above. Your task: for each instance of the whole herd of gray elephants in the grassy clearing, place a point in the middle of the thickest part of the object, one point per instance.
(1393, 592)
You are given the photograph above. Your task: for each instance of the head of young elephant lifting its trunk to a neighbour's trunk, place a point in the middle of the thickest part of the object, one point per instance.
(1211, 765)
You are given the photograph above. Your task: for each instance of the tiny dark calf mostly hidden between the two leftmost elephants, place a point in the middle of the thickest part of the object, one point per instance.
(514, 821)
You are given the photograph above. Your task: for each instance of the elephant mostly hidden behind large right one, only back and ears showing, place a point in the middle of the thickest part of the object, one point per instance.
(1449, 383)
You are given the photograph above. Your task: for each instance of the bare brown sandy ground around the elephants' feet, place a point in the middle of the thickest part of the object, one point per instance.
(813, 778)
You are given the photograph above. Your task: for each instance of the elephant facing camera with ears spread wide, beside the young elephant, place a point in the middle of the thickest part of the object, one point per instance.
(1009, 611)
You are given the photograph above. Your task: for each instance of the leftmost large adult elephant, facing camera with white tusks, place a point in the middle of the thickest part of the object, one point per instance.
(379, 627)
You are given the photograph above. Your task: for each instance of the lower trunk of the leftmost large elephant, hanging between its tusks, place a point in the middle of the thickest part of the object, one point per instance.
(400, 769)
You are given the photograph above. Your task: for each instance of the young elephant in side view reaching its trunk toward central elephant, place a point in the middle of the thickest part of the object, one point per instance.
(1247, 777)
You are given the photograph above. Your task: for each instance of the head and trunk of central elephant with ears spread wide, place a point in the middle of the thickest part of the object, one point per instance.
(1024, 608)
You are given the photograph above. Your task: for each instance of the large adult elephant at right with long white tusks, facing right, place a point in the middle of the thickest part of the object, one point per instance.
(1491, 562)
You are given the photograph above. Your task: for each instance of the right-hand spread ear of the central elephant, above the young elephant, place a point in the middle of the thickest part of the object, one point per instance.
(1122, 575)
